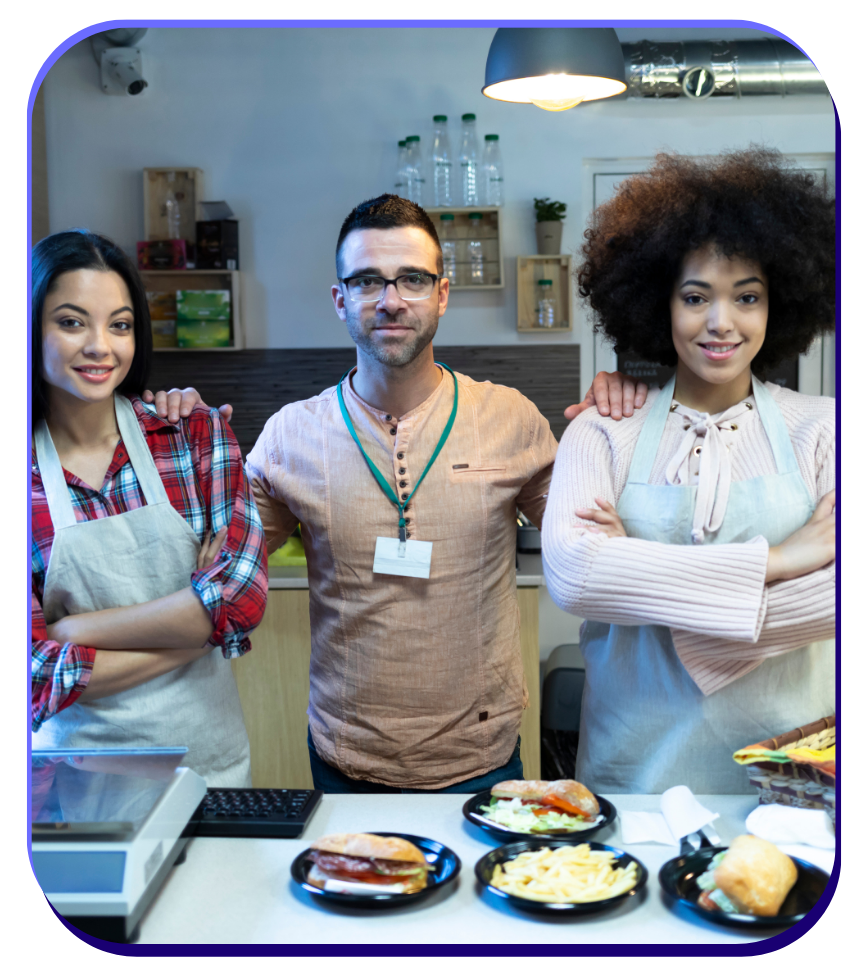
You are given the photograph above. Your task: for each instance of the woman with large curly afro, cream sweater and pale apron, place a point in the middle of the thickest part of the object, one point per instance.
(698, 537)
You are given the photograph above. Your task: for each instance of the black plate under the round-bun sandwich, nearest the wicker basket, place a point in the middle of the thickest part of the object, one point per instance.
(678, 879)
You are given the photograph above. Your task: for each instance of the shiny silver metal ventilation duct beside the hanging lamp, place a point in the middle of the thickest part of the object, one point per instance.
(704, 69)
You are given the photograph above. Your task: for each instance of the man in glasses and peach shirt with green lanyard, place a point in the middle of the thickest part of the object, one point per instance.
(406, 478)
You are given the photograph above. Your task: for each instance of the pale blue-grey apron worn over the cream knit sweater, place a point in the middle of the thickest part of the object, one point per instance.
(645, 725)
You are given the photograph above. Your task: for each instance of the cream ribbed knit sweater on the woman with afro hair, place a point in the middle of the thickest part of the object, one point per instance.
(724, 619)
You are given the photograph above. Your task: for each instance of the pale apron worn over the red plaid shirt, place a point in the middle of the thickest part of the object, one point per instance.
(124, 560)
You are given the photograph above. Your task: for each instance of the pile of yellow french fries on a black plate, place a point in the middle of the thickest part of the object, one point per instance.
(566, 874)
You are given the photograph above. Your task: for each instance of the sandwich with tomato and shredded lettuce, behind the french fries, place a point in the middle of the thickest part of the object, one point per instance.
(542, 806)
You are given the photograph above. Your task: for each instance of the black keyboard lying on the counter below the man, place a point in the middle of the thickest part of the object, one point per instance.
(254, 812)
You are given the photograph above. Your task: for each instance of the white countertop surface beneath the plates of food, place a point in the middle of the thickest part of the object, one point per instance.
(238, 890)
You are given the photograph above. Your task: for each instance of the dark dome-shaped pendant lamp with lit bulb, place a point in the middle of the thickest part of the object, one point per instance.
(555, 68)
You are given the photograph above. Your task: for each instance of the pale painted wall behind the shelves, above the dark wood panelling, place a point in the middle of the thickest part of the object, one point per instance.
(293, 127)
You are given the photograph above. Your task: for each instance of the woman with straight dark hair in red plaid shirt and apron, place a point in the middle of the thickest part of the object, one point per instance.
(148, 558)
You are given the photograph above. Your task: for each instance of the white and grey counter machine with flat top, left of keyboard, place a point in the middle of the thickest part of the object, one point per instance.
(107, 827)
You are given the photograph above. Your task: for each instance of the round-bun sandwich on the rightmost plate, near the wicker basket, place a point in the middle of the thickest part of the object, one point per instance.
(752, 877)
